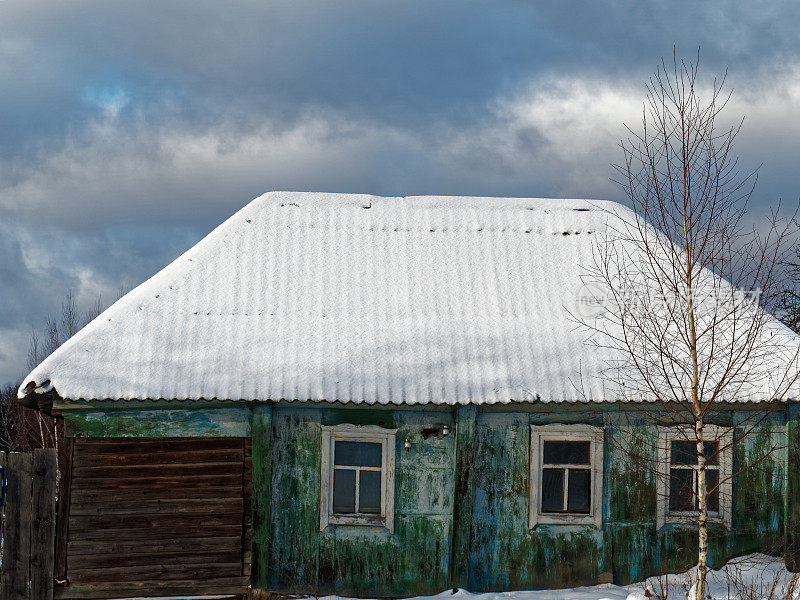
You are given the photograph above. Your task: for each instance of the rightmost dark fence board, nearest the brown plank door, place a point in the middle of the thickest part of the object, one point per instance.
(43, 524)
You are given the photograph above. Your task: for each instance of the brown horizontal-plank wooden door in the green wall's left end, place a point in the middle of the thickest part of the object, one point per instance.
(158, 516)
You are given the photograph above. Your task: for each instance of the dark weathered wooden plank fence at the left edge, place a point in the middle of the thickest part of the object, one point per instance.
(27, 525)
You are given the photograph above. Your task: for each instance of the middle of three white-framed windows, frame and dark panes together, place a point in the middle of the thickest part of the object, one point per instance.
(566, 475)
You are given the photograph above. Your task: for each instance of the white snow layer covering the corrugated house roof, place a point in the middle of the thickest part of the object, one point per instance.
(309, 296)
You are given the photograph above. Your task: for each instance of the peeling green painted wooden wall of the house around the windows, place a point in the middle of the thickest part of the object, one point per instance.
(461, 501)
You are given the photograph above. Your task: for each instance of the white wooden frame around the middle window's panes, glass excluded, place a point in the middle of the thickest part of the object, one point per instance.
(566, 433)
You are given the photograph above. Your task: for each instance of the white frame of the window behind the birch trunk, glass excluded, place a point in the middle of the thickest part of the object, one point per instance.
(666, 435)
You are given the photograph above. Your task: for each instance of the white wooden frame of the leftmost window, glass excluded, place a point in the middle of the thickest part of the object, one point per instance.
(358, 433)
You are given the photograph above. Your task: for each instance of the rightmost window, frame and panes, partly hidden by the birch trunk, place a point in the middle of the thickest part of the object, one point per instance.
(678, 468)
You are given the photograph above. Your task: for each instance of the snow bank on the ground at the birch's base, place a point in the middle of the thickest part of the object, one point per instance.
(755, 576)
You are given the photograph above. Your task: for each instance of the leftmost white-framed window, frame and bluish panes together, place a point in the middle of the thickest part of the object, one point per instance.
(357, 476)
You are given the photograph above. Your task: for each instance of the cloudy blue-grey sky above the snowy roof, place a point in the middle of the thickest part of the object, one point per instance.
(129, 129)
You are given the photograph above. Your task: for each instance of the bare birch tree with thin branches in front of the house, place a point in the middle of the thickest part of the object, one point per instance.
(688, 287)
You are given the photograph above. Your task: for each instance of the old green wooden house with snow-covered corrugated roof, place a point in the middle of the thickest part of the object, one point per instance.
(376, 396)
